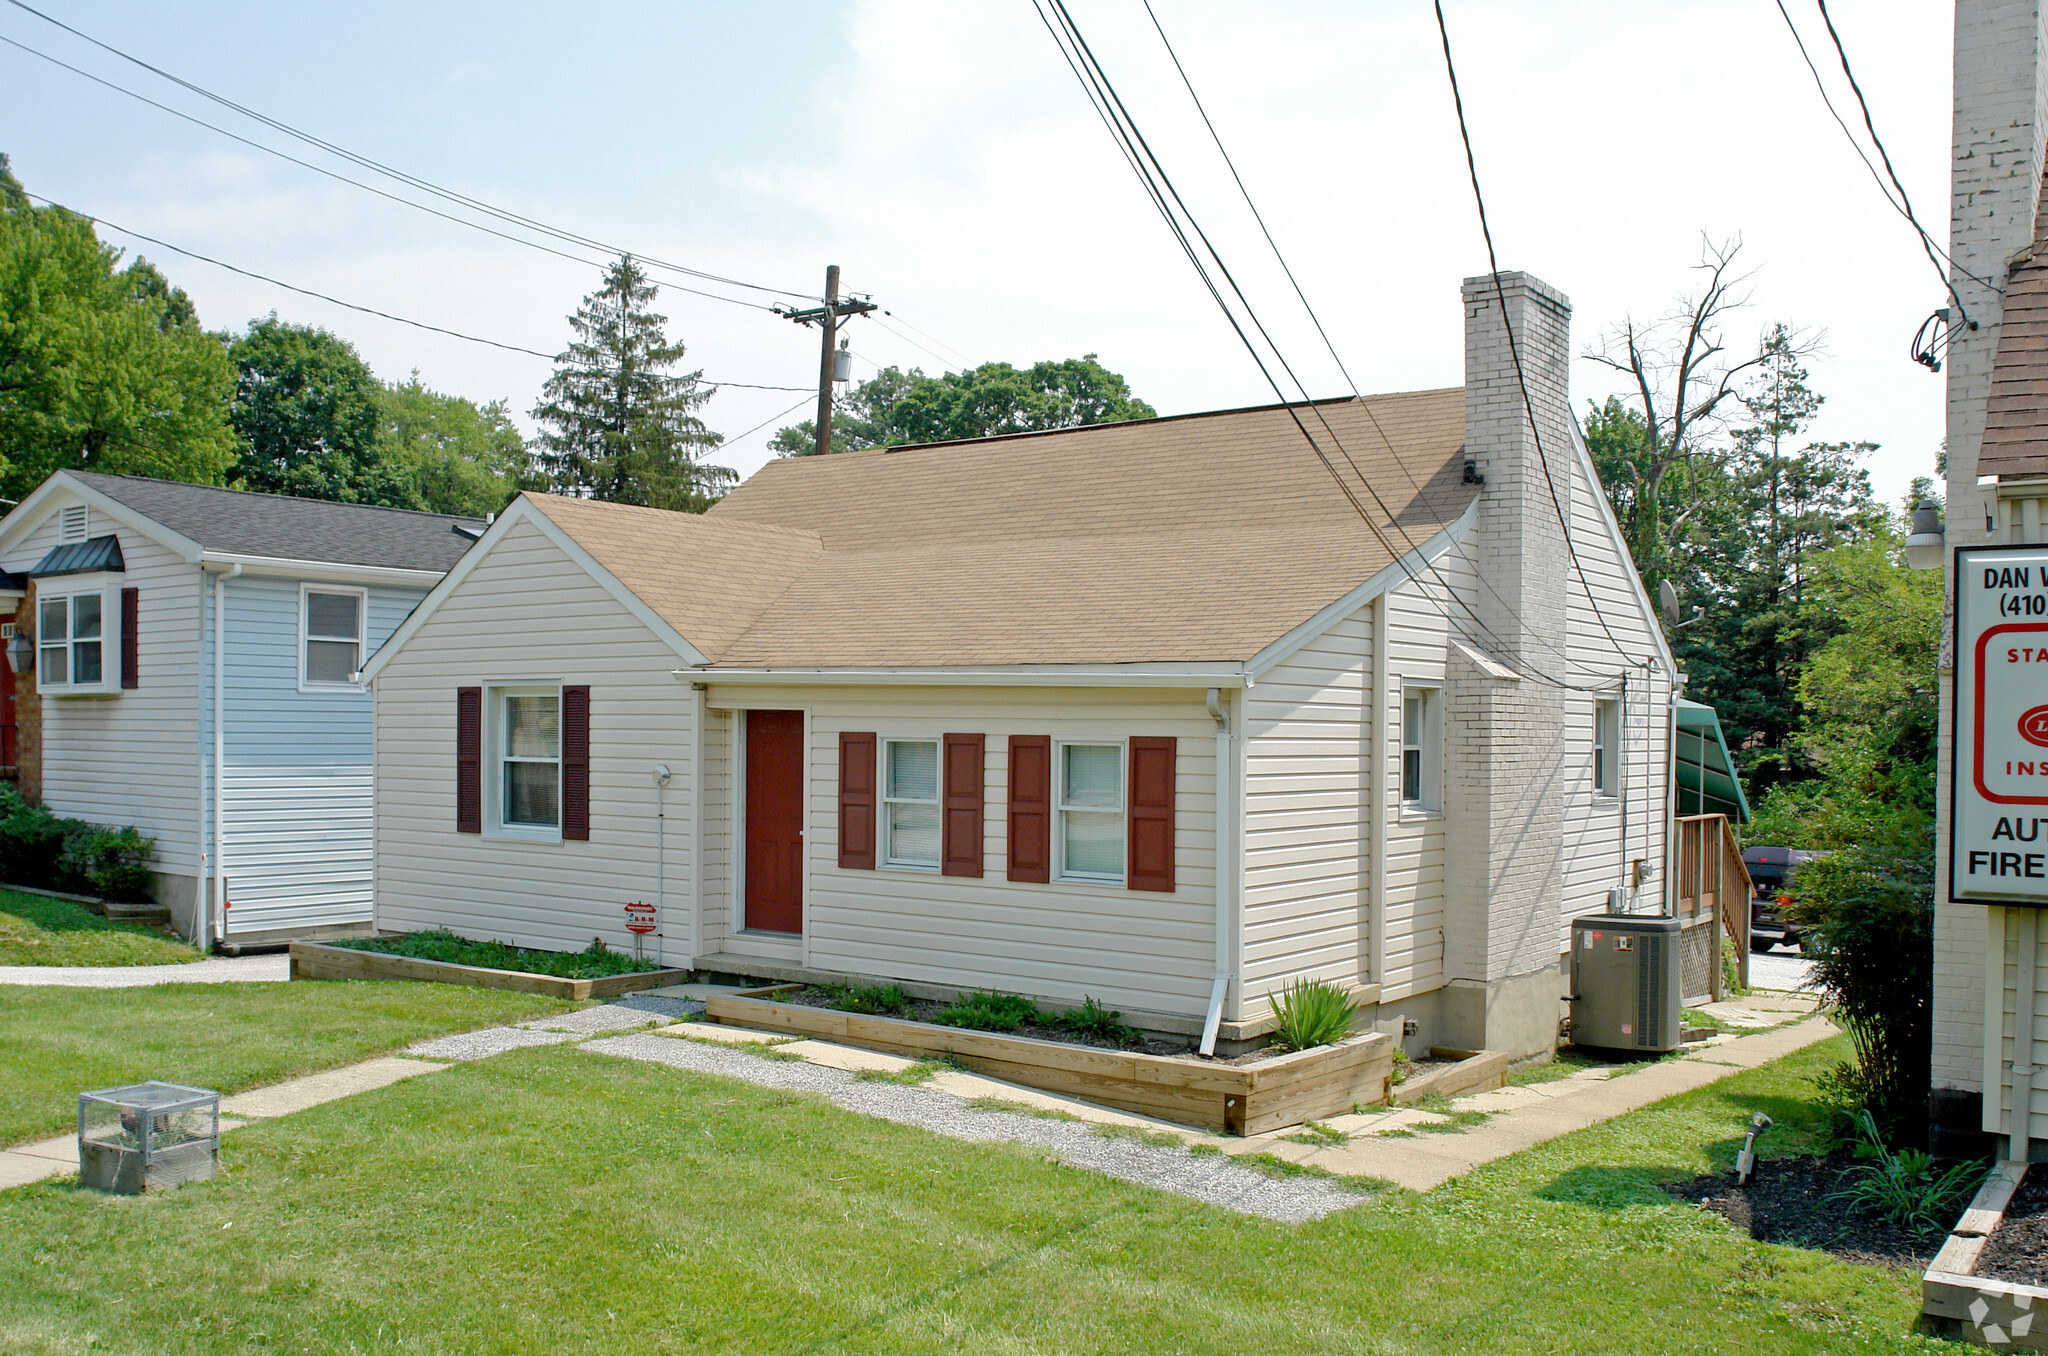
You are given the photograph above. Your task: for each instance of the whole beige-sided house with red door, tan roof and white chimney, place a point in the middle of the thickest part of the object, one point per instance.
(1166, 714)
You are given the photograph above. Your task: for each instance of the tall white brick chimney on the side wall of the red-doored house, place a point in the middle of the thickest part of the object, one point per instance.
(1504, 710)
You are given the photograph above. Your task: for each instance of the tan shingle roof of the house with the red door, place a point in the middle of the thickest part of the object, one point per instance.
(1183, 540)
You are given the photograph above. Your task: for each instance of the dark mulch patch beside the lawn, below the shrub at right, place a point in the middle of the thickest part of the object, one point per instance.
(1787, 1203)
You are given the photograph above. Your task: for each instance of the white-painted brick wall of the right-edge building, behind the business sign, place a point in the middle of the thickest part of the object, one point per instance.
(2002, 108)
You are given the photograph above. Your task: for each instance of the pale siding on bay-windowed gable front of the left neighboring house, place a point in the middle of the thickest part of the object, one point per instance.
(134, 757)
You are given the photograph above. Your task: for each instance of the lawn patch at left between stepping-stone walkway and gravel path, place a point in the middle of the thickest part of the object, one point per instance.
(56, 1044)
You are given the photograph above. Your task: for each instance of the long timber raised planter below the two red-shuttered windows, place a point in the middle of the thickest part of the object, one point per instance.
(1244, 1097)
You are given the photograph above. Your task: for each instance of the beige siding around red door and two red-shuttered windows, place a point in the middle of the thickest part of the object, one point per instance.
(1062, 941)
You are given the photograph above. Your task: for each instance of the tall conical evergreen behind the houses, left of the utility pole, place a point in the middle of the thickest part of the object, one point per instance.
(615, 421)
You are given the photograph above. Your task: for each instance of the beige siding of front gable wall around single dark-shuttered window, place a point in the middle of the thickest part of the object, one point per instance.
(531, 616)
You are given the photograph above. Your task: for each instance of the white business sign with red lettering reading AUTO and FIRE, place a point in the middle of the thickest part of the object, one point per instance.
(1998, 847)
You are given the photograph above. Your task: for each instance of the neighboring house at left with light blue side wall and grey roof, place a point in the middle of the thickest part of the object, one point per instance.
(253, 775)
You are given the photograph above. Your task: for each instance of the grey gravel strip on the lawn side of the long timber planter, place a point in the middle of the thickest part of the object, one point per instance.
(1211, 1179)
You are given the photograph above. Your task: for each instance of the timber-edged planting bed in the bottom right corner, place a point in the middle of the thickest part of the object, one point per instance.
(1988, 1283)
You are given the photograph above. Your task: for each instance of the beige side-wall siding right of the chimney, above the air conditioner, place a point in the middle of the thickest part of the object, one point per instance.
(1605, 835)
